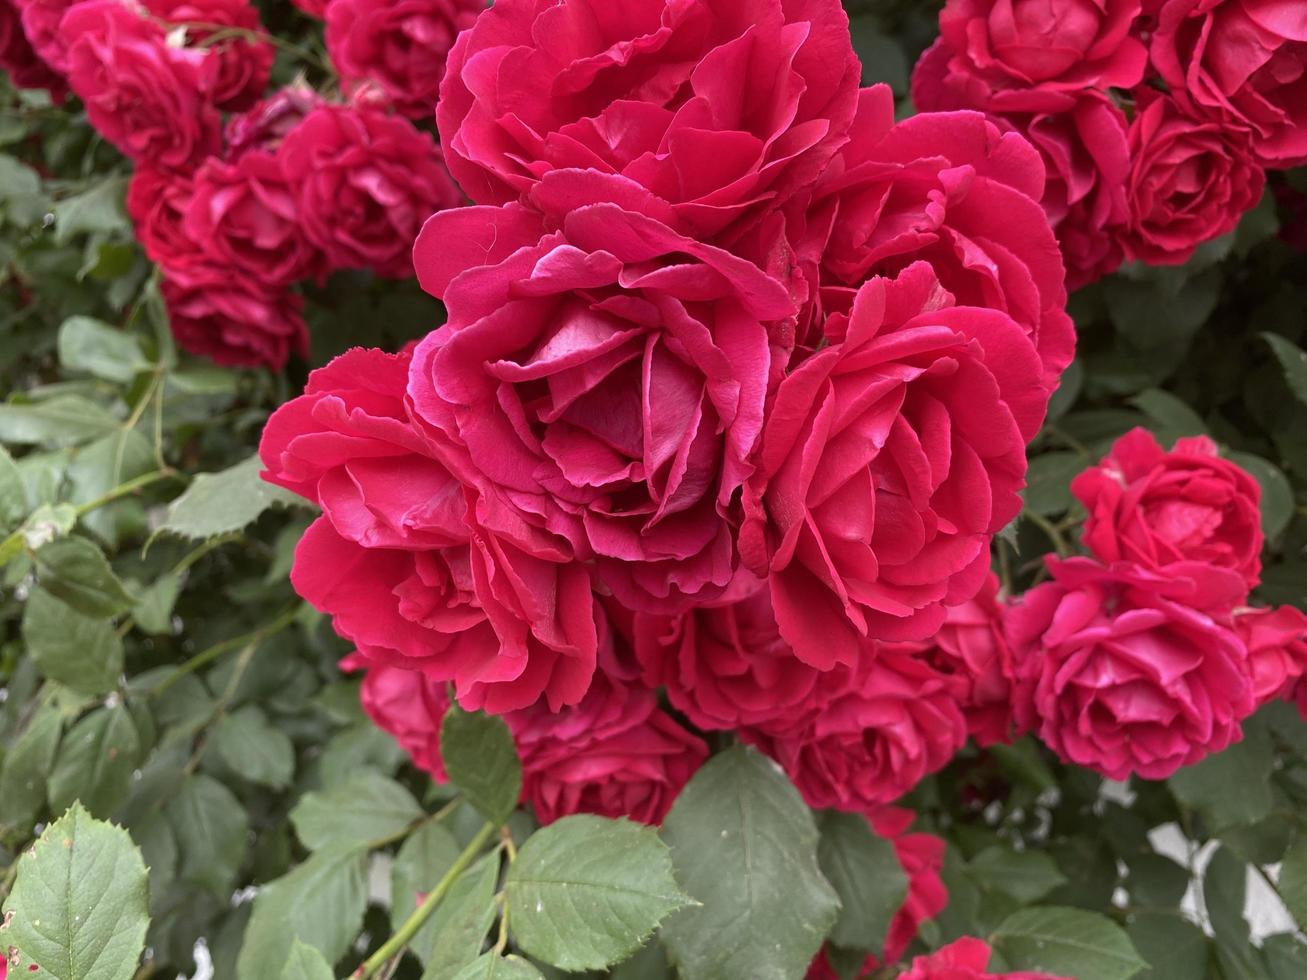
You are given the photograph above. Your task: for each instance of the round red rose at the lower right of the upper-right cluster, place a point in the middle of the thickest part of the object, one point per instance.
(1190, 182)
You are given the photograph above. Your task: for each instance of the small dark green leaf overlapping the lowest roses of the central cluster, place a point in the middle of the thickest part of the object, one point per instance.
(483, 762)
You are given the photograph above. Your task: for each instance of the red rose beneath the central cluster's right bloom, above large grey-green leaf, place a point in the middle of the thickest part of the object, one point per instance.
(884, 727)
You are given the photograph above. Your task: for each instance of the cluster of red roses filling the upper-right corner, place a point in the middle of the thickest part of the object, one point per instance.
(1156, 121)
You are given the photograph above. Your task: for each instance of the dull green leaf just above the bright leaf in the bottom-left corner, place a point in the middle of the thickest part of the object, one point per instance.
(97, 761)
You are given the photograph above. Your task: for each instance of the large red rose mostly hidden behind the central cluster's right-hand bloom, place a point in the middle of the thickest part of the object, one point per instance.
(948, 189)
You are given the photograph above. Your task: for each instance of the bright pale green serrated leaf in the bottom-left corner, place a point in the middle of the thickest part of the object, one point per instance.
(79, 904)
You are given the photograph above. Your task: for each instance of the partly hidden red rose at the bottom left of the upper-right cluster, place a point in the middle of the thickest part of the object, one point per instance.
(1088, 160)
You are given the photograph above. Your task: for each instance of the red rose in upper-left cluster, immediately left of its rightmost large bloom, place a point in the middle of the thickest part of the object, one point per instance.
(244, 216)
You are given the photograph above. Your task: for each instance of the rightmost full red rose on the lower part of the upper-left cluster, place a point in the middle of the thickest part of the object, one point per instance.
(365, 184)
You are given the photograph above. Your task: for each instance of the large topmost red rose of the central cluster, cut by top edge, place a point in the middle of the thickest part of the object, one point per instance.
(721, 109)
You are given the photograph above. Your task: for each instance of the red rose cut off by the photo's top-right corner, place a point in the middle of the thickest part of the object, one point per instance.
(1244, 63)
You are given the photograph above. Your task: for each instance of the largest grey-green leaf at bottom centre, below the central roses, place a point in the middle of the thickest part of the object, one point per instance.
(746, 846)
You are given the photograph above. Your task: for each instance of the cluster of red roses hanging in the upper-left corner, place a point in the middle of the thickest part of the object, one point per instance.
(236, 197)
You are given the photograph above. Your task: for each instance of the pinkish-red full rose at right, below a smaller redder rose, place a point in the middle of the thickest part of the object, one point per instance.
(1127, 671)
